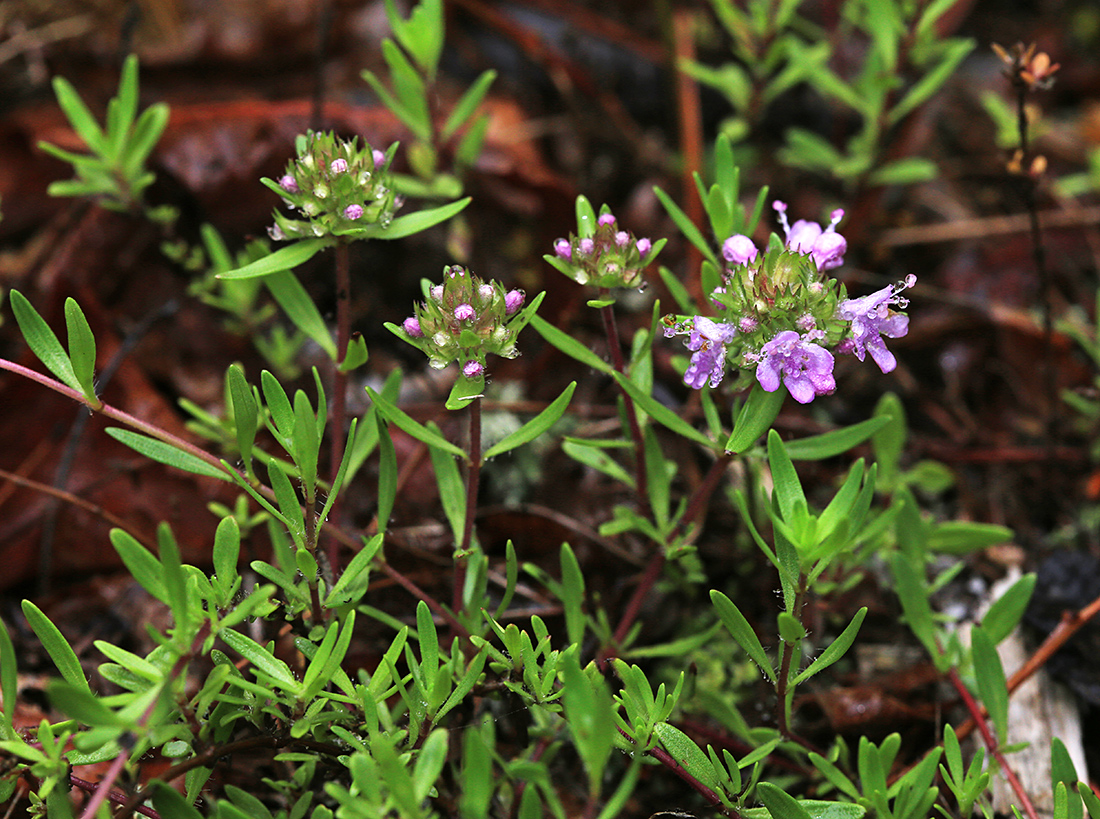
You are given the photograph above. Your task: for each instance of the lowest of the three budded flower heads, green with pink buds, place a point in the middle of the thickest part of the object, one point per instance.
(465, 319)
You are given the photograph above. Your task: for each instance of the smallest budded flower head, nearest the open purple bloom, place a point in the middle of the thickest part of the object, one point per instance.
(604, 254)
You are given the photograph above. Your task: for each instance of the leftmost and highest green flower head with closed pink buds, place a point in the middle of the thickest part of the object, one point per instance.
(337, 186)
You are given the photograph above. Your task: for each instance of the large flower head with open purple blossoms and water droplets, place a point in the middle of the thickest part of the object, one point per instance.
(783, 314)
